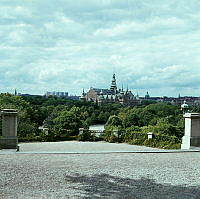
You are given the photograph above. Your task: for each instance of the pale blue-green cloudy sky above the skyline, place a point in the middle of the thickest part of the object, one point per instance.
(68, 45)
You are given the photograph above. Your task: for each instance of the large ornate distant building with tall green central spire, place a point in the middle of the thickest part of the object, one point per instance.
(102, 96)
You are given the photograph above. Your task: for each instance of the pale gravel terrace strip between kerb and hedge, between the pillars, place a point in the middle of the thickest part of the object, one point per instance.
(81, 147)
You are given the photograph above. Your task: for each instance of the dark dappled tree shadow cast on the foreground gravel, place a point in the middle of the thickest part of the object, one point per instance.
(107, 186)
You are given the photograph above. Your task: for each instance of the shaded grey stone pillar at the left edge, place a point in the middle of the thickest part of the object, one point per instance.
(9, 138)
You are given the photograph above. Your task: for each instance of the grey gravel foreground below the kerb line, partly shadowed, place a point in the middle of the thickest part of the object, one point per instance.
(125, 175)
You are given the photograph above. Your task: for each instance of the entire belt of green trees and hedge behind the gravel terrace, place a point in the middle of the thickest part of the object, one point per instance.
(63, 117)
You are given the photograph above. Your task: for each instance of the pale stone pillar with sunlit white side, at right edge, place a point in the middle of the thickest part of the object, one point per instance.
(192, 131)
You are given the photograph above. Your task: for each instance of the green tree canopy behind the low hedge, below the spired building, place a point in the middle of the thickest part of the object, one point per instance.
(60, 114)
